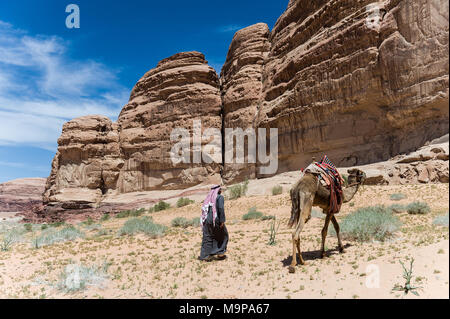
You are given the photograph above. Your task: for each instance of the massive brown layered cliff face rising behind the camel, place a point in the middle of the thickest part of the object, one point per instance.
(358, 83)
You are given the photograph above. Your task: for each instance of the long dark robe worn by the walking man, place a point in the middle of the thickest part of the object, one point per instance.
(215, 239)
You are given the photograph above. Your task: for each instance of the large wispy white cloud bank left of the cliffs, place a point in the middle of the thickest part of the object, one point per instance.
(41, 88)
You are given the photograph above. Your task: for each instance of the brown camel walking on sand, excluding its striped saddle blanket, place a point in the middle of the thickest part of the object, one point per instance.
(308, 192)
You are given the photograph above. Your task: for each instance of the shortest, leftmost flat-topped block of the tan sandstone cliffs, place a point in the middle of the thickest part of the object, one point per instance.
(87, 163)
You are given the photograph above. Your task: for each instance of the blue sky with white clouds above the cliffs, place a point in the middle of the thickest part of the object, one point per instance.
(50, 74)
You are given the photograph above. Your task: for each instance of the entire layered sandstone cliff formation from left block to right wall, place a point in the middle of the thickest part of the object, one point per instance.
(359, 81)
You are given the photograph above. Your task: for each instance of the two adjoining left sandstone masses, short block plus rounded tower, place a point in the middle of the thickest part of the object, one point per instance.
(97, 157)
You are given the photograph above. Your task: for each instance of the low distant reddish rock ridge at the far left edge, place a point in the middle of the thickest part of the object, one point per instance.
(21, 194)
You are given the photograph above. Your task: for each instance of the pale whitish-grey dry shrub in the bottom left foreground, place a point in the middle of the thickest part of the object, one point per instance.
(78, 277)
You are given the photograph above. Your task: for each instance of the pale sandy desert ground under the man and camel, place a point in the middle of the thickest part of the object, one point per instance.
(167, 267)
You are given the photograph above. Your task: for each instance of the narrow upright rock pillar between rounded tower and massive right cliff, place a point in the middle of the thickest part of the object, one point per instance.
(241, 80)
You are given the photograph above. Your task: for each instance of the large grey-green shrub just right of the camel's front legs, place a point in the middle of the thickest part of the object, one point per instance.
(367, 223)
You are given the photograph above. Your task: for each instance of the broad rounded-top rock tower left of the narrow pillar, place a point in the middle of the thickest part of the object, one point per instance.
(181, 89)
